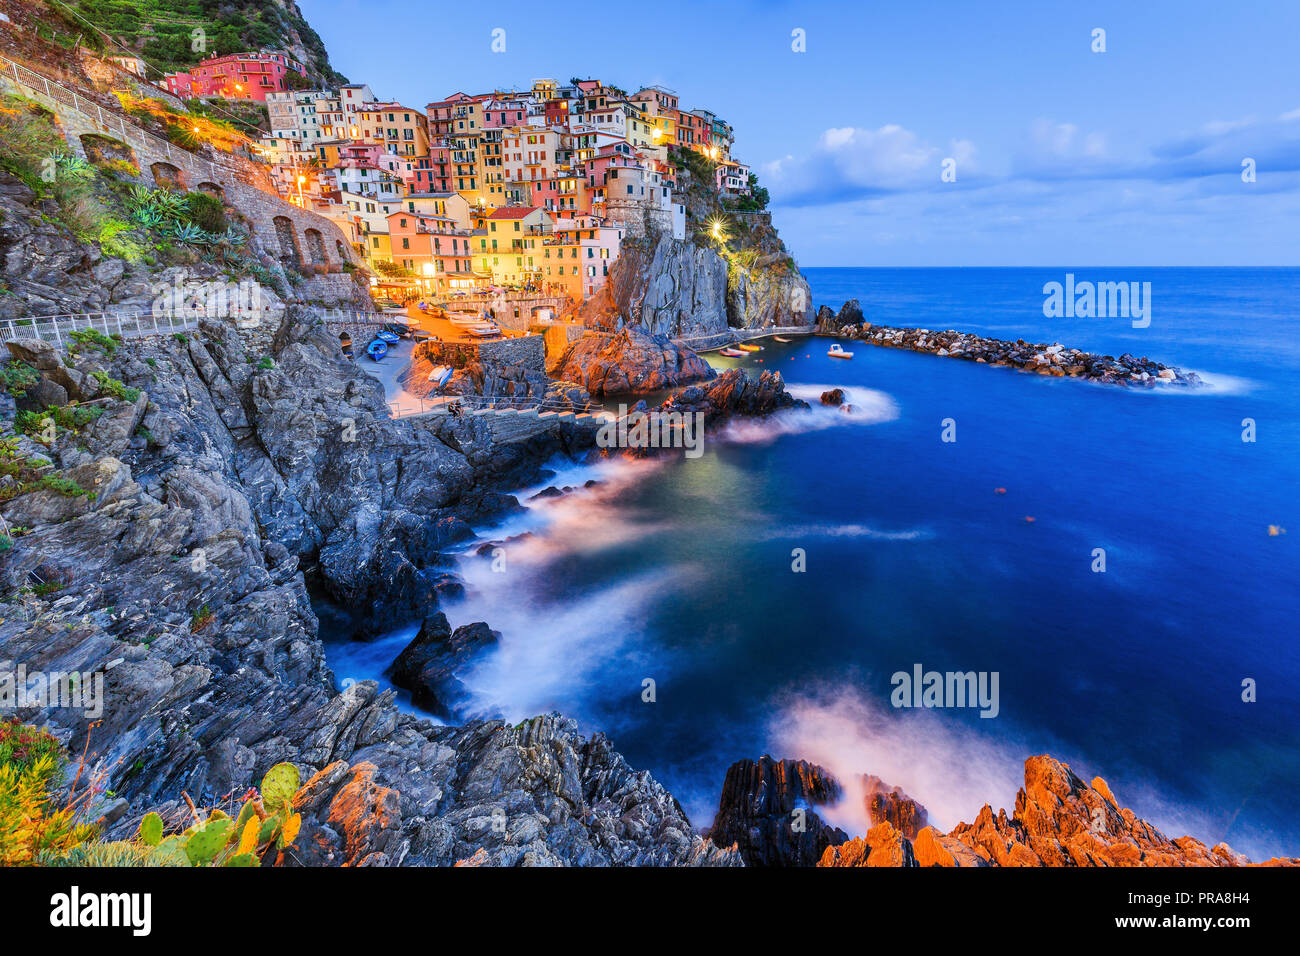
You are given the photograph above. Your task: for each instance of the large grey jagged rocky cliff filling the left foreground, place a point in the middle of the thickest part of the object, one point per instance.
(168, 543)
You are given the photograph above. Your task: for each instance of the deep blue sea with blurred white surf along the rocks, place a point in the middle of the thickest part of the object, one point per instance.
(773, 587)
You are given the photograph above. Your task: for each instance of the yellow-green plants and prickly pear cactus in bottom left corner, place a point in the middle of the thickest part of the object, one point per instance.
(36, 833)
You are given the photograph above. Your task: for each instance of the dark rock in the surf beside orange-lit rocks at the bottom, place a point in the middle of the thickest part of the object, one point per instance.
(768, 812)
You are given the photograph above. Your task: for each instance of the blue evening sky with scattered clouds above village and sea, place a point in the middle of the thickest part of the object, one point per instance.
(1059, 154)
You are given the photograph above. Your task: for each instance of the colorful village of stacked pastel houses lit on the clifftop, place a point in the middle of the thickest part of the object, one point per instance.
(512, 191)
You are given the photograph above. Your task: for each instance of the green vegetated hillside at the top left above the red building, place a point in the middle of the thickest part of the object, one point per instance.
(162, 31)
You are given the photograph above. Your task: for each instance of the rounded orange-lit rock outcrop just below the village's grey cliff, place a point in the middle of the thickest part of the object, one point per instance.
(630, 361)
